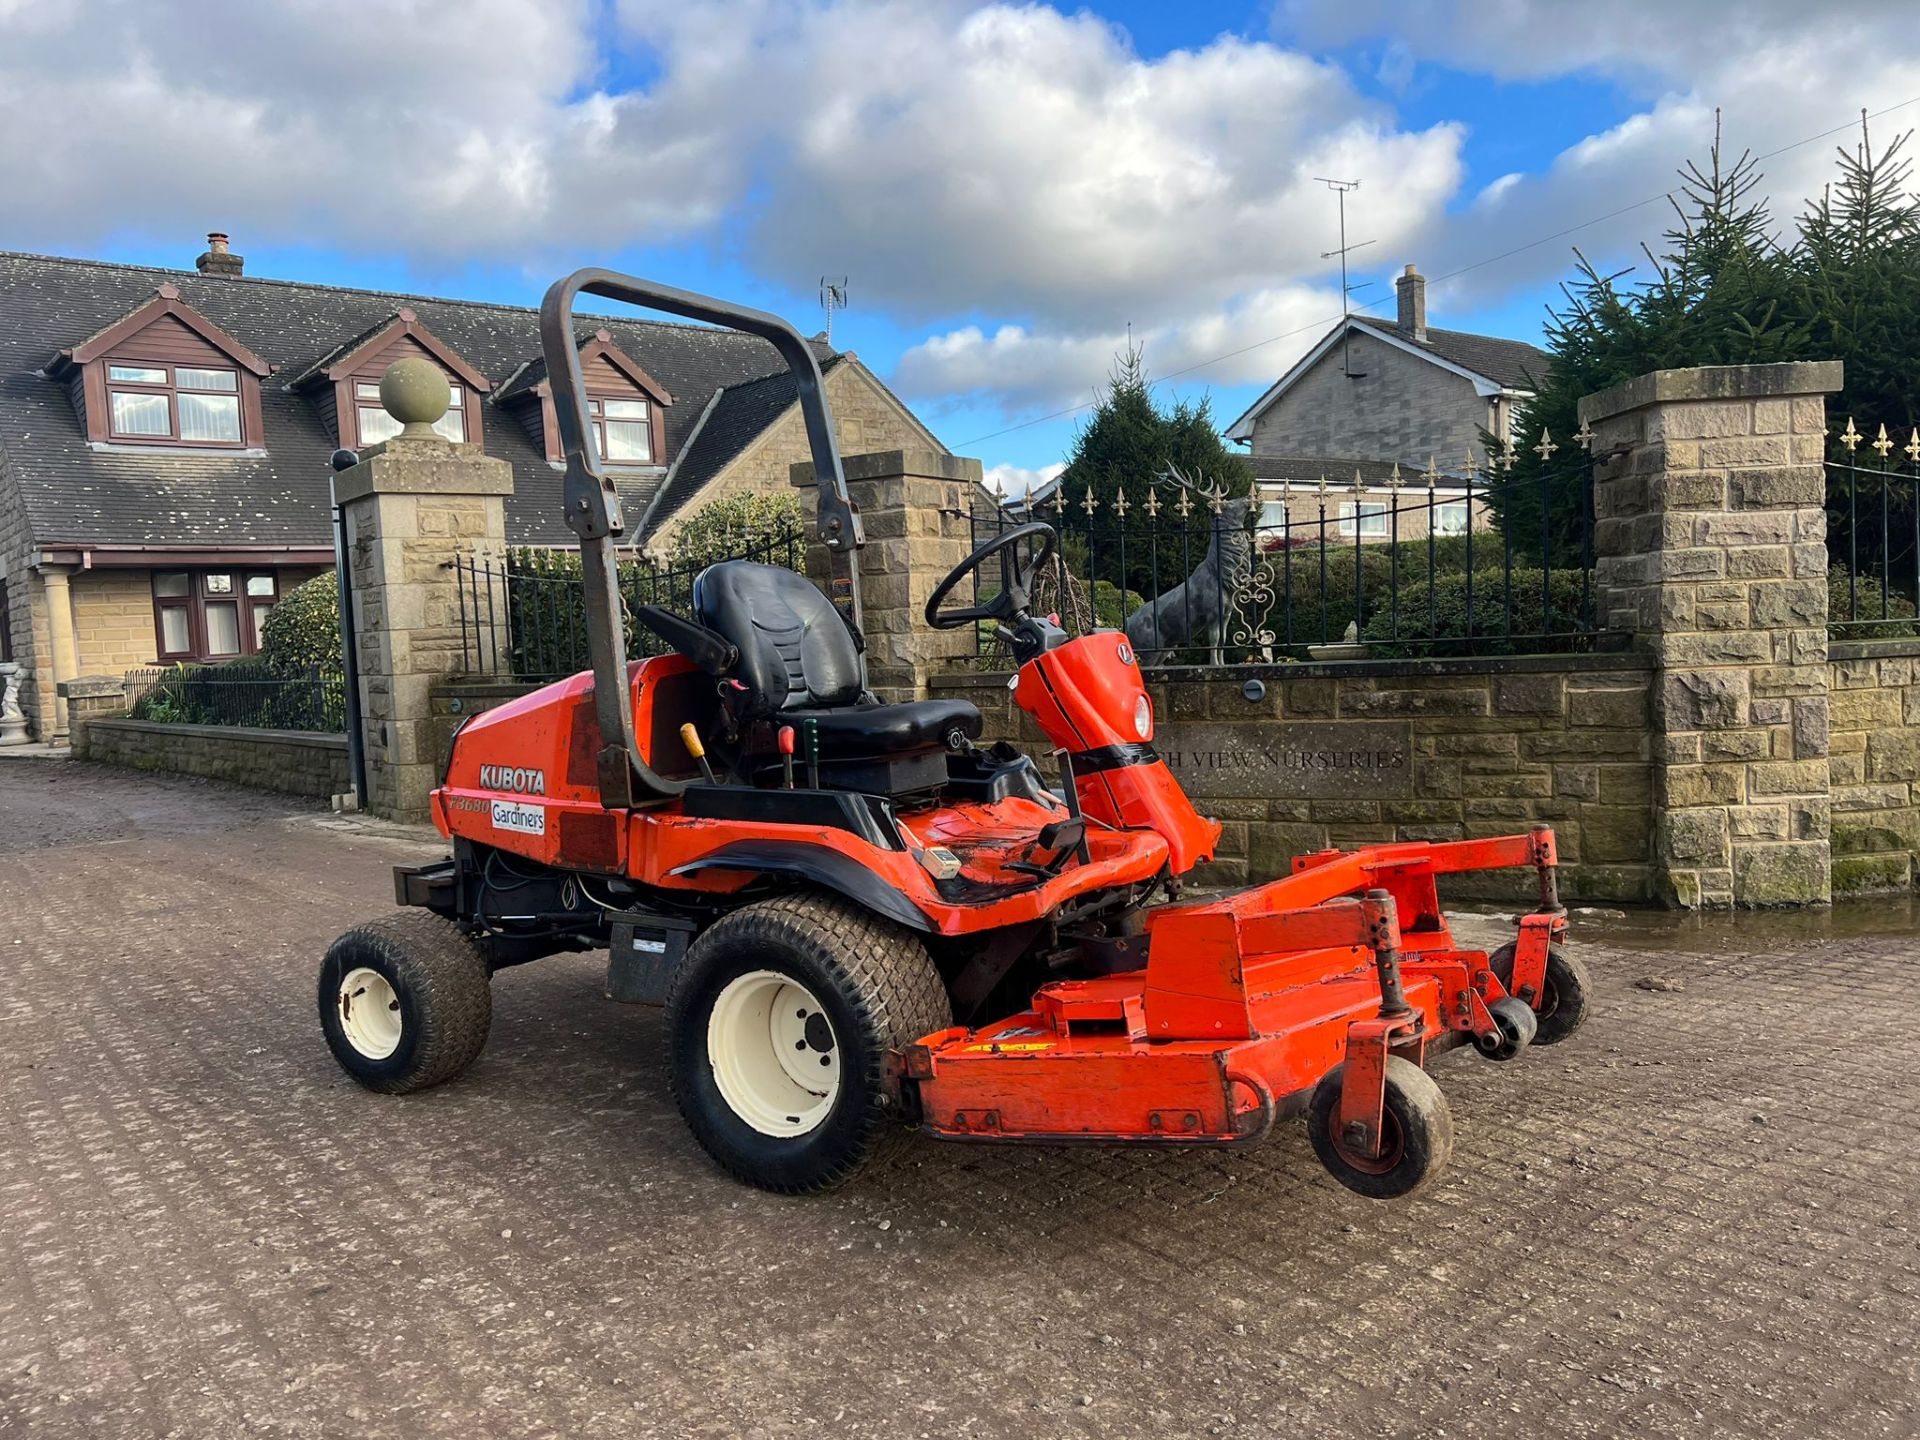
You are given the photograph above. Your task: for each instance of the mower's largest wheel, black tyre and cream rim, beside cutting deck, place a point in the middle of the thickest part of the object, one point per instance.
(784, 1028)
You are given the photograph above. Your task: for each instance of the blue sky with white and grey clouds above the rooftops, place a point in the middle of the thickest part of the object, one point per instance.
(1011, 189)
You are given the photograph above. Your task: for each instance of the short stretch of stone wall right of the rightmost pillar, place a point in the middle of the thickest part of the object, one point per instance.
(1875, 757)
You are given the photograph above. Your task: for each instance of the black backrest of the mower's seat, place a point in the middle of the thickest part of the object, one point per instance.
(794, 648)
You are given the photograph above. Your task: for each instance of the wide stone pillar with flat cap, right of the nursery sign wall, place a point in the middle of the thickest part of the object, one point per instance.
(1710, 540)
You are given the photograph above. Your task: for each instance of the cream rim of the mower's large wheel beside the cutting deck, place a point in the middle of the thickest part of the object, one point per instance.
(775, 1053)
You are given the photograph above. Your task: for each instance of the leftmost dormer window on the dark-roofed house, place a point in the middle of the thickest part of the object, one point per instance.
(164, 375)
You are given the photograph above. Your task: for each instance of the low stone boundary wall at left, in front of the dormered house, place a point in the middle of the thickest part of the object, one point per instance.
(289, 761)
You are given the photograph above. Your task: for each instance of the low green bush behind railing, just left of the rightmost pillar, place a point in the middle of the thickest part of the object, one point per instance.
(1435, 619)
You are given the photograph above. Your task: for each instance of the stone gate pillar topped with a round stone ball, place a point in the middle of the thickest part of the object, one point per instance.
(412, 508)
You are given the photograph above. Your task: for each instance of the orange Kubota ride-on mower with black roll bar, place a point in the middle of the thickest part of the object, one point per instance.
(859, 919)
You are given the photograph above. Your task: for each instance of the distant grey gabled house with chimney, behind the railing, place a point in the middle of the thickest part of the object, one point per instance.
(1374, 396)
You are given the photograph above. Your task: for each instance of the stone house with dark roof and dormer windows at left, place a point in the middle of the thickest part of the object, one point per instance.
(166, 439)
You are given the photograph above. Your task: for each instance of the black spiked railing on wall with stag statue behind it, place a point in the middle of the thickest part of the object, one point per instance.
(1431, 564)
